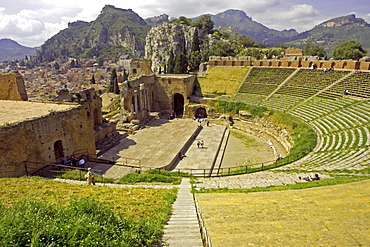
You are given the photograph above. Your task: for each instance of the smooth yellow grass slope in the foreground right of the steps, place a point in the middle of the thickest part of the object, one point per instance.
(326, 216)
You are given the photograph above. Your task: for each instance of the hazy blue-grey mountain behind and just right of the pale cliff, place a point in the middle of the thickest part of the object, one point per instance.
(244, 24)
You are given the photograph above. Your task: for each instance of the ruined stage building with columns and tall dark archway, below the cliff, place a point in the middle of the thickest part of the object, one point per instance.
(145, 92)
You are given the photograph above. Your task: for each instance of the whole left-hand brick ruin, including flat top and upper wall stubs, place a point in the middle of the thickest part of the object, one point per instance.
(34, 134)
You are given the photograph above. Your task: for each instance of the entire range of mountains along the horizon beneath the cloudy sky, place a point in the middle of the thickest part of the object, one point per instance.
(119, 31)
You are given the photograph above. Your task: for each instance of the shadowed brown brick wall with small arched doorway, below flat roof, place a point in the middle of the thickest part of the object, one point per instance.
(36, 140)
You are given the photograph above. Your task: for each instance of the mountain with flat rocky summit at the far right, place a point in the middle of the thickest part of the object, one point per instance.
(335, 31)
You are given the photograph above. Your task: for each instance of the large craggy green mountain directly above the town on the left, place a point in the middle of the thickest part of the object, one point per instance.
(114, 32)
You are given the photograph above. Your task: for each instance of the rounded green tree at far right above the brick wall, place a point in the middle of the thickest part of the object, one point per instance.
(349, 50)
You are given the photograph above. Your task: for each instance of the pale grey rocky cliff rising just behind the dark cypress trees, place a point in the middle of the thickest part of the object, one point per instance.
(175, 37)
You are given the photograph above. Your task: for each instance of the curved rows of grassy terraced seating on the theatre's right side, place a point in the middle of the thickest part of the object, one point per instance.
(341, 122)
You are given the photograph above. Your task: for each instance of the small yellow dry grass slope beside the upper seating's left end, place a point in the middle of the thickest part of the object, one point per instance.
(222, 80)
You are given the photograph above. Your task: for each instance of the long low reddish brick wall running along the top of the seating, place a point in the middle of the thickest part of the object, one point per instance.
(292, 59)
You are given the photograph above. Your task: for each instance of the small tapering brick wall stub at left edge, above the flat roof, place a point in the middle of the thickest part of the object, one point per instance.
(12, 87)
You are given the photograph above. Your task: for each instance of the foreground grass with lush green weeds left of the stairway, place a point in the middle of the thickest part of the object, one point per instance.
(40, 212)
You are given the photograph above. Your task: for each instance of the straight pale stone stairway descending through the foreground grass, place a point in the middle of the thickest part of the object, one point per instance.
(182, 230)
